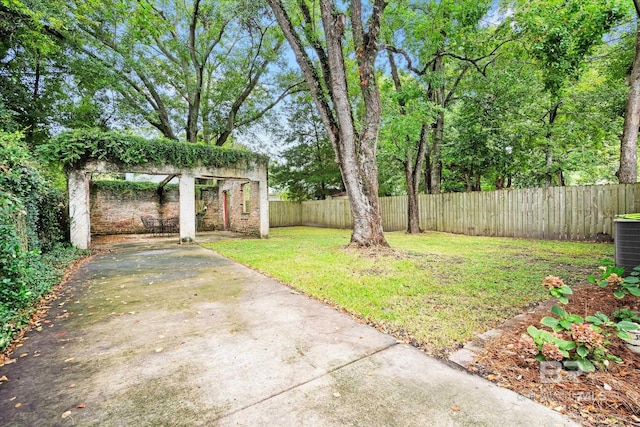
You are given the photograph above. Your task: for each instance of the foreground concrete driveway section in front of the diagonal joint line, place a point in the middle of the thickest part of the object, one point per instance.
(398, 386)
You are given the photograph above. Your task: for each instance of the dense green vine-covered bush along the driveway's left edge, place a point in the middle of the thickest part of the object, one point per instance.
(32, 230)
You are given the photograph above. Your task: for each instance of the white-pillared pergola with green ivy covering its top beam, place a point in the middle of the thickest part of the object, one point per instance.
(85, 152)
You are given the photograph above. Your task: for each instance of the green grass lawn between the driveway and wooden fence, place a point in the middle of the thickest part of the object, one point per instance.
(438, 290)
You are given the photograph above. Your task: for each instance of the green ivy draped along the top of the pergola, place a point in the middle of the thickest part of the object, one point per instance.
(74, 149)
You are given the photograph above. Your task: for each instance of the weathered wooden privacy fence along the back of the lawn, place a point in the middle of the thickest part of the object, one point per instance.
(562, 213)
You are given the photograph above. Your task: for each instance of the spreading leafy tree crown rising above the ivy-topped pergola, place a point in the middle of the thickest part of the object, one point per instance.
(201, 66)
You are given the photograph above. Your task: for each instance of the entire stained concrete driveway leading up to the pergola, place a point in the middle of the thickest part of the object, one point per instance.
(156, 333)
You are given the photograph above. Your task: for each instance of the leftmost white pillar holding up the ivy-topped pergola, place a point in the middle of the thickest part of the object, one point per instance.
(79, 218)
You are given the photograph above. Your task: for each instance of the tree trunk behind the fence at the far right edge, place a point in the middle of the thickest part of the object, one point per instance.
(628, 173)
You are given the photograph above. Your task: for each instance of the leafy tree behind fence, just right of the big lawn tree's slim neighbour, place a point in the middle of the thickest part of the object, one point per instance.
(441, 42)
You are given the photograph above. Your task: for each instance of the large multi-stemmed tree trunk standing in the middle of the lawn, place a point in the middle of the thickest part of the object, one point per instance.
(353, 136)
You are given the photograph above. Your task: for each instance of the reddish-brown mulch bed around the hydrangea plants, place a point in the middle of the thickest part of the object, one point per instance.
(606, 397)
